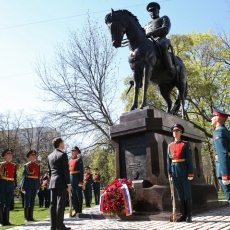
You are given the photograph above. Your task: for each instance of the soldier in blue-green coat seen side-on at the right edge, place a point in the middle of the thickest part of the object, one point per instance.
(221, 143)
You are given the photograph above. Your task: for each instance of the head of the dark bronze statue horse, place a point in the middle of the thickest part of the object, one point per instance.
(116, 27)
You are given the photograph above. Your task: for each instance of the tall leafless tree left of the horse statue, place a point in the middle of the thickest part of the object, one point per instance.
(81, 82)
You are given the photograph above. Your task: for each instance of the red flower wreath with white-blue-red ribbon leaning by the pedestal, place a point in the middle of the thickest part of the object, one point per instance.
(118, 197)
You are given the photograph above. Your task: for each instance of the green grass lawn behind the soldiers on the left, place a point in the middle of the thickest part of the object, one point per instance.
(17, 215)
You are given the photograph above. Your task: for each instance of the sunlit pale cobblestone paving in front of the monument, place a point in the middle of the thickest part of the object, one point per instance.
(215, 219)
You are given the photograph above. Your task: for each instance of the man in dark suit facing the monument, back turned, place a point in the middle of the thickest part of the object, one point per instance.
(59, 184)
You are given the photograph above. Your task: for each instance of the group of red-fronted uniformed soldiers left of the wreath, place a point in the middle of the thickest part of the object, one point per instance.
(33, 183)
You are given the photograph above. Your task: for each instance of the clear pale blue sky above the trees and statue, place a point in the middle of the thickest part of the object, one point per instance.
(21, 44)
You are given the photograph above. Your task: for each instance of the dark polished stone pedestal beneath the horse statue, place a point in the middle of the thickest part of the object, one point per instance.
(141, 141)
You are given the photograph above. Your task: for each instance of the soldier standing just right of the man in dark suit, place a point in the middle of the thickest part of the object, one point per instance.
(76, 179)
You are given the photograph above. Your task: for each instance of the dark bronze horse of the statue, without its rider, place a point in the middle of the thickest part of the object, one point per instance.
(145, 62)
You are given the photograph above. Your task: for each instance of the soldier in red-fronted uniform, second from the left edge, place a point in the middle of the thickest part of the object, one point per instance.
(30, 184)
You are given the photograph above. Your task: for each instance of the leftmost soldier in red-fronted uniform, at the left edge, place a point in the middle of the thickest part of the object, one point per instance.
(8, 182)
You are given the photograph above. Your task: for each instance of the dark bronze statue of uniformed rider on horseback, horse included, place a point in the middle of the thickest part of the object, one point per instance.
(149, 56)
